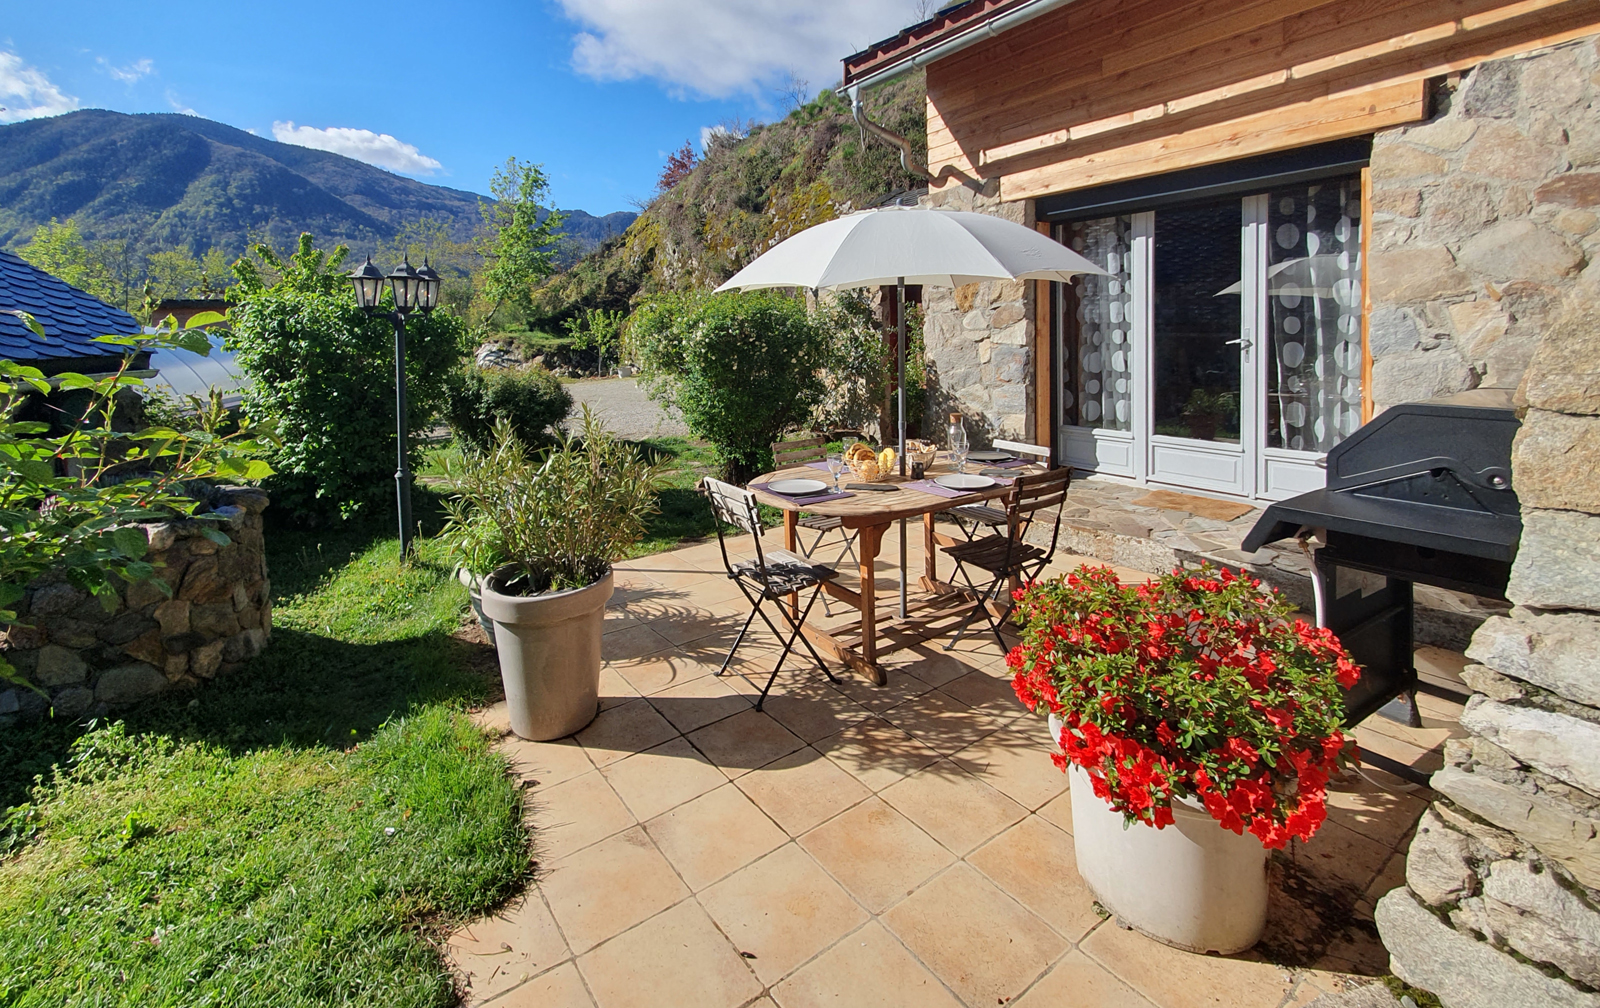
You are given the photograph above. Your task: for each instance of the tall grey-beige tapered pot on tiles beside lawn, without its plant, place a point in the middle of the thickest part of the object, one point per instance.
(550, 655)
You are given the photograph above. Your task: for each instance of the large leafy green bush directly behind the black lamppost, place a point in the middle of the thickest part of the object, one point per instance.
(324, 370)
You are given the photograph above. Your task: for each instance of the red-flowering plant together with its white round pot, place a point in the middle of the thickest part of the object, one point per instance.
(1201, 724)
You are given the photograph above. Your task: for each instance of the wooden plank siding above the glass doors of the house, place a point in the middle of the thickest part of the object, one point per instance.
(1108, 90)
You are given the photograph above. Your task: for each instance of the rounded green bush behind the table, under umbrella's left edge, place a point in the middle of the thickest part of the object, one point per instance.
(742, 369)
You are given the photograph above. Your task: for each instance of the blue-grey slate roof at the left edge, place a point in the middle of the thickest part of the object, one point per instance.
(70, 316)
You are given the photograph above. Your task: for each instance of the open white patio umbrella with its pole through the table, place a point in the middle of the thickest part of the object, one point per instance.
(906, 246)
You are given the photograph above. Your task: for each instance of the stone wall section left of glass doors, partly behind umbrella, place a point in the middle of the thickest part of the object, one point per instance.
(980, 342)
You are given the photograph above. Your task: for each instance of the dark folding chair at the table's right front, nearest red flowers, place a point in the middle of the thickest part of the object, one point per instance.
(1010, 558)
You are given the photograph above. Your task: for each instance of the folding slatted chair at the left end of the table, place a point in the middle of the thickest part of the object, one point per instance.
(772, 577)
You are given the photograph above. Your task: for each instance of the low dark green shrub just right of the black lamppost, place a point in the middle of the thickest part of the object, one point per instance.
(529, 398)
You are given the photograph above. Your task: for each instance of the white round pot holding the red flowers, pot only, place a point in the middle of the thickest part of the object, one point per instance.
(1193, 886)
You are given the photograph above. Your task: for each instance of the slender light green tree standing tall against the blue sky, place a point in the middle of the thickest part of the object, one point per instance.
(519, 249)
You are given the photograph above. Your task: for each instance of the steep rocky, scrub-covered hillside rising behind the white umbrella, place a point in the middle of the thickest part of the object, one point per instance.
(745, 196)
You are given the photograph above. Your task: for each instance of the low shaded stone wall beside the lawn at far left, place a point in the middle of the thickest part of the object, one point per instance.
(215, 615)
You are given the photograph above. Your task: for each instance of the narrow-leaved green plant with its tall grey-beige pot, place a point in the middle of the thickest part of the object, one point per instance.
(556, 521)
